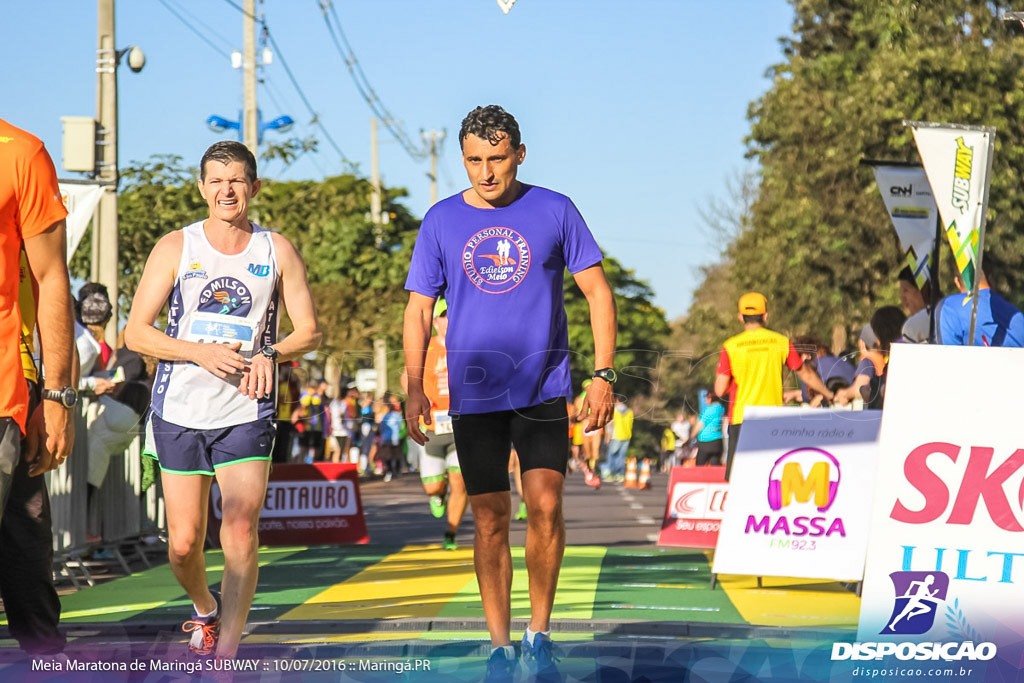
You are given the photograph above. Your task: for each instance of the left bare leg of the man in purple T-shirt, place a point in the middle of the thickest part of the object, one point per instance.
(493, 562)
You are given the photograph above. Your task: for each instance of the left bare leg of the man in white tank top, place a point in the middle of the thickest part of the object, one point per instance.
(187, 497)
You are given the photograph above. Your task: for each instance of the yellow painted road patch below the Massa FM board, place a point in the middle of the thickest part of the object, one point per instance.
(792, 602)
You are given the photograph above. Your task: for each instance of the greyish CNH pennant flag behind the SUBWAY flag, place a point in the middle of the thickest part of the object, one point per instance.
(911, 205)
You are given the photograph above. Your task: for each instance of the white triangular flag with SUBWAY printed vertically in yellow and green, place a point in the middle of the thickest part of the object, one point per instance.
(958, 162)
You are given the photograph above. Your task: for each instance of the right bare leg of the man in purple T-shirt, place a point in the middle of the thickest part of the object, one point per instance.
(545, 541)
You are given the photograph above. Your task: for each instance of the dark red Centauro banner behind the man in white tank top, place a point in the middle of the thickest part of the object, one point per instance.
(306, 505)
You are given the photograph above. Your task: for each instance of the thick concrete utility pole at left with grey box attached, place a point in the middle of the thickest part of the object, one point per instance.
(105, 240)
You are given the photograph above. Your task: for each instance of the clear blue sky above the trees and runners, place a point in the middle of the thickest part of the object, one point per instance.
(634, 109)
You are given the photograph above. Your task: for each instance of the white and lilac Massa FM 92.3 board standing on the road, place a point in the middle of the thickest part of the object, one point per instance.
(800, 495)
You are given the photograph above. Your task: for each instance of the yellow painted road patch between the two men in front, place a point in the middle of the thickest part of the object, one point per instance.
(415, 583)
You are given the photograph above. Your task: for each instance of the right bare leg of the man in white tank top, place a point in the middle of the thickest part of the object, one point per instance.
(243, 489)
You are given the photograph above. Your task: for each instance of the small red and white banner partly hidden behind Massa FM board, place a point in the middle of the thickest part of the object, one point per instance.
(694, 515)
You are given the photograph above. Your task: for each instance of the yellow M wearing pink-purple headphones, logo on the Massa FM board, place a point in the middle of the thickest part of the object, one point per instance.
(789, 481)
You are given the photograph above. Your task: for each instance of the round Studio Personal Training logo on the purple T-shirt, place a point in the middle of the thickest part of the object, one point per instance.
(496, 260)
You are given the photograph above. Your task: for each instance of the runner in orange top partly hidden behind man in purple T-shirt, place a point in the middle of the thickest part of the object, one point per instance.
(440, 468)
